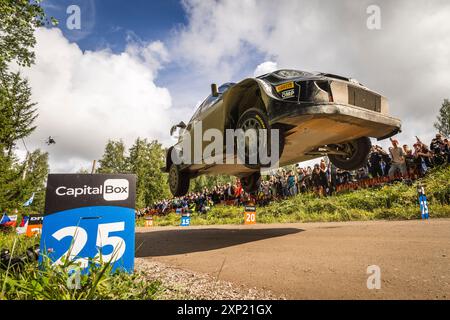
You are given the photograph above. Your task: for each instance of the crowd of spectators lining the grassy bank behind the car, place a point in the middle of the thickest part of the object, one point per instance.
(398, 162)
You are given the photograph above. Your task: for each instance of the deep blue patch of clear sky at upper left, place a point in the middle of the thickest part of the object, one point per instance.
(111, 20)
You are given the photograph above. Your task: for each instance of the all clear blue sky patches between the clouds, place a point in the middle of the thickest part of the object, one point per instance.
(112, 23)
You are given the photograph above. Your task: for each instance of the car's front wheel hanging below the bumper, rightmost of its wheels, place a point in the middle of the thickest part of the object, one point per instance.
(358, 158)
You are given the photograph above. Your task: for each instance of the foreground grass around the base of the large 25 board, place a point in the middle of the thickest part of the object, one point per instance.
(51, 282)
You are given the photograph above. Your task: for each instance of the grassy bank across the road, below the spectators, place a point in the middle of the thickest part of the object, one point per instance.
(390, 202)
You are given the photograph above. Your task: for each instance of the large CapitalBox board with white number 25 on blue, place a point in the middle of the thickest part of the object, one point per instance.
(88, 218)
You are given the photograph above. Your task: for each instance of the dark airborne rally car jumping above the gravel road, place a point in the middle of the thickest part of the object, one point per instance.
(316, 114)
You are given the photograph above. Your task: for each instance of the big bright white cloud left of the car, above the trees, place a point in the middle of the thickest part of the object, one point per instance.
(86, 98)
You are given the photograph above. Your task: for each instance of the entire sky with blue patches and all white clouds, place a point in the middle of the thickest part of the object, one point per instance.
(139, 66)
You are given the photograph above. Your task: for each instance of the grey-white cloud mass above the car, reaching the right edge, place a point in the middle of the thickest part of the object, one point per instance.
(407, 60)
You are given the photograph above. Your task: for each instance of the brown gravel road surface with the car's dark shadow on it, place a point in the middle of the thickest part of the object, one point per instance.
(313, 260)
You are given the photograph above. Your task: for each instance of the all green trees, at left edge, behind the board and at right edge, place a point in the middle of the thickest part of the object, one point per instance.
(19, 179)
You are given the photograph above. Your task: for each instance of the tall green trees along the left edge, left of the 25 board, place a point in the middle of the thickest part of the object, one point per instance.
(19, 179)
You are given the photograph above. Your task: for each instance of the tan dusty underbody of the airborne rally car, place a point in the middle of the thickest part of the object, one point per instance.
(313, 132)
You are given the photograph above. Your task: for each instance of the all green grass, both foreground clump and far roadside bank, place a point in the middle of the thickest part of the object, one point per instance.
(391, 202)
